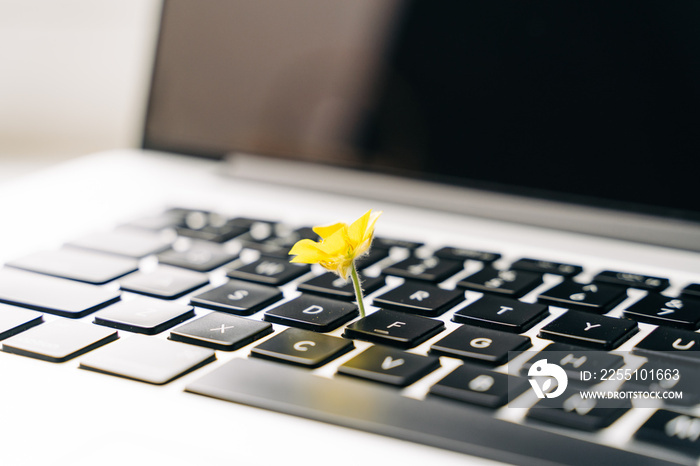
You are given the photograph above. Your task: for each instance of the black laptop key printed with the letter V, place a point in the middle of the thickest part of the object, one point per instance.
(390, 366)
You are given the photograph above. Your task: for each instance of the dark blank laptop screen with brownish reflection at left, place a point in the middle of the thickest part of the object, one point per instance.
(592, 102)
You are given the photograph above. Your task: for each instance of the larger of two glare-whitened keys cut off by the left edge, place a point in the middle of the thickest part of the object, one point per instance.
(53, 295)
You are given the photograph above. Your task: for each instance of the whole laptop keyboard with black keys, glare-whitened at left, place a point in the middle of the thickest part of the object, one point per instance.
(440, 357)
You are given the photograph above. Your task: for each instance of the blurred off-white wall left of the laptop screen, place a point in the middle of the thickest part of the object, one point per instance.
(73, 76)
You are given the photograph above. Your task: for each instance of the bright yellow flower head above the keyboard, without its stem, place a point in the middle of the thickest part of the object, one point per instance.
(341, 244)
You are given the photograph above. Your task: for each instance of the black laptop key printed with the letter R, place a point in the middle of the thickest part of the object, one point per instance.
(419, 298)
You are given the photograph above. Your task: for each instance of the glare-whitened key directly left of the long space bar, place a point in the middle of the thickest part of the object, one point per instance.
(148, 359)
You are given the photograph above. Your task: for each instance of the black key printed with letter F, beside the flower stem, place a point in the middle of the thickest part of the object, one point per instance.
(394, 328)
